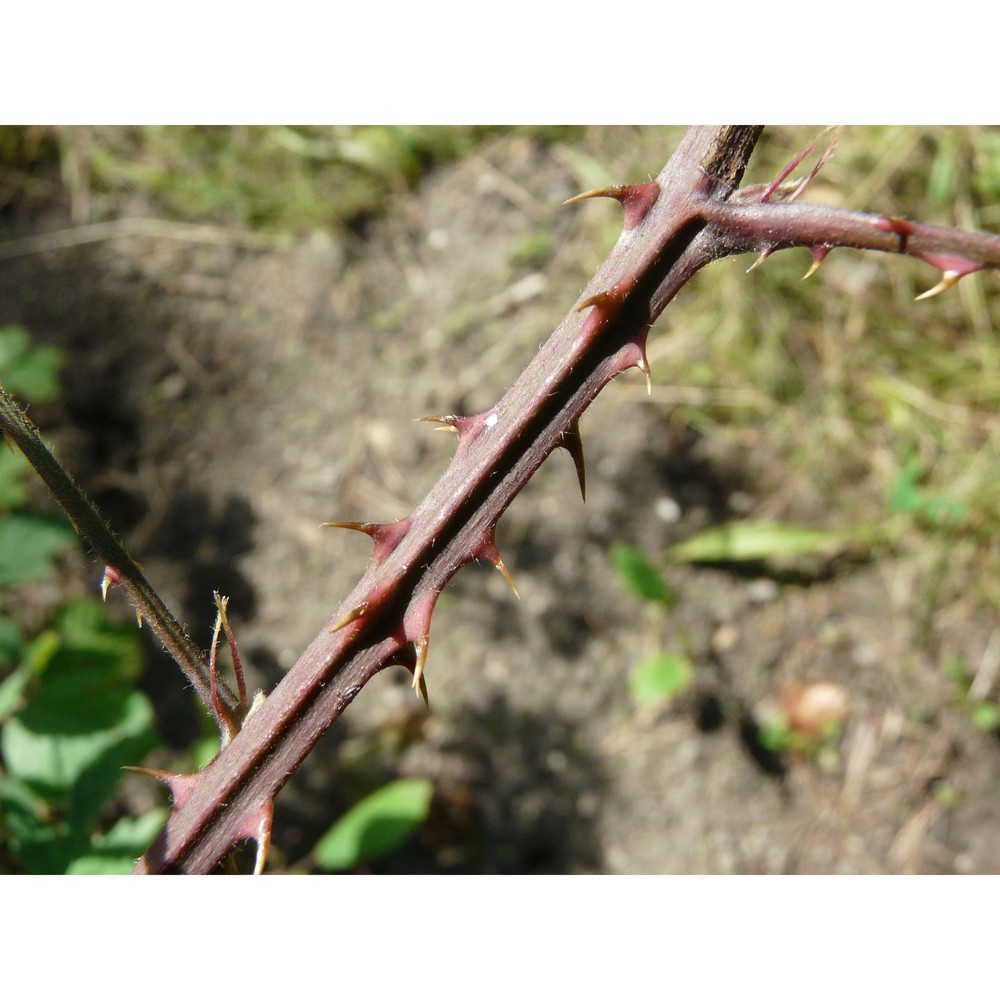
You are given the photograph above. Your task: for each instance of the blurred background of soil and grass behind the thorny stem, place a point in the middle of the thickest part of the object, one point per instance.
(251, 319)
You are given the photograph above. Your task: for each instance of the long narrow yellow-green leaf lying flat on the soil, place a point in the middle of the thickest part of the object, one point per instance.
(746, 541)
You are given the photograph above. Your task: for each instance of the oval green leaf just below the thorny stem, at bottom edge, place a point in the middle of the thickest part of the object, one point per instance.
(377, 824)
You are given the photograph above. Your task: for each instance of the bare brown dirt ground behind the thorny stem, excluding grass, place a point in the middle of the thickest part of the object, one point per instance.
(222, 402)
